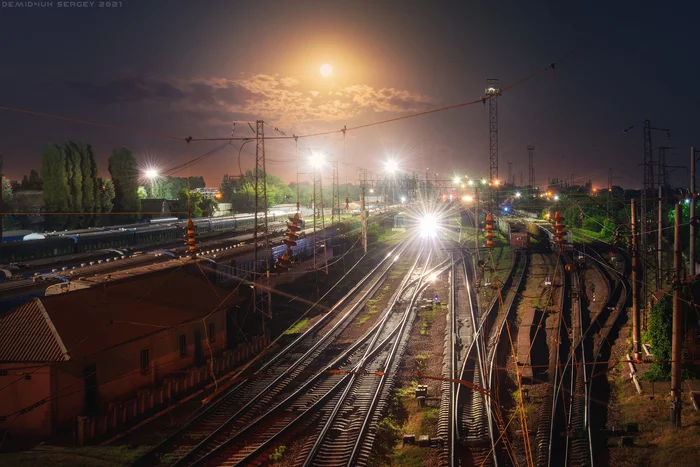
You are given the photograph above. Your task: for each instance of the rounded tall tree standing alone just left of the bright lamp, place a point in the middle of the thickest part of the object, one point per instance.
(124, 173)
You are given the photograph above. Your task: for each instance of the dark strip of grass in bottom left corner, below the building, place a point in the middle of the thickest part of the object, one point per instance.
(88, 456)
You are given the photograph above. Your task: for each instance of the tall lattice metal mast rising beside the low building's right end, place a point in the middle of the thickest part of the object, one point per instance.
(261, 289)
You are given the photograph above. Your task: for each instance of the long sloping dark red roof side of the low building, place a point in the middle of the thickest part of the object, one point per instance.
(103, 316)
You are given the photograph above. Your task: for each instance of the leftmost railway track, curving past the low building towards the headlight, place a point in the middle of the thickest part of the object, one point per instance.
(286, 371)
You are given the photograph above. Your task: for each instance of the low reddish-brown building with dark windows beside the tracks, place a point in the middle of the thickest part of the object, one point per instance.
(78, 353)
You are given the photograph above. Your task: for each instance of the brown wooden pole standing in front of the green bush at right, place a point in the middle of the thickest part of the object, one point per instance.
(677, 336)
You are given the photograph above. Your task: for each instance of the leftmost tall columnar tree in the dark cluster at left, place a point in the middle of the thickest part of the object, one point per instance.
(56, 190)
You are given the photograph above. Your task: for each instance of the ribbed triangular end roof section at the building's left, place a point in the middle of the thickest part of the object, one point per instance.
(27, 335)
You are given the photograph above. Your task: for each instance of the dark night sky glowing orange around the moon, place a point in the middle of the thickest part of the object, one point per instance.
(190, 68)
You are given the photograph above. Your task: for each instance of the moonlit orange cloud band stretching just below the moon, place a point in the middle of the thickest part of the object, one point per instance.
(273, 98)
